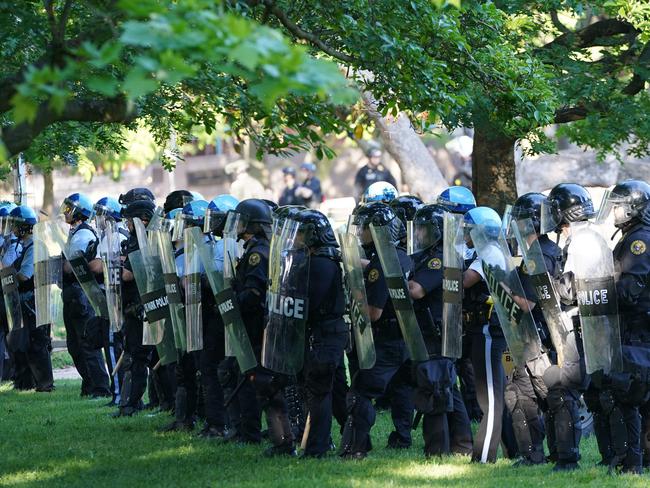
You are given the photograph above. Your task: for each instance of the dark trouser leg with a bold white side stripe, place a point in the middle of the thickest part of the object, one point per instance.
(487, 354)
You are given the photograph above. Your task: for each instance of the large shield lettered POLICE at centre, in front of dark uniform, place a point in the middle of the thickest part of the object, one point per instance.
(283, 346)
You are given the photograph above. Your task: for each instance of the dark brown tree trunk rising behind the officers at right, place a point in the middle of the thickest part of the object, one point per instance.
(493, 168)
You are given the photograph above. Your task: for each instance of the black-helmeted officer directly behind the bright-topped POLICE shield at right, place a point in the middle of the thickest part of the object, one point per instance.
(567, 203)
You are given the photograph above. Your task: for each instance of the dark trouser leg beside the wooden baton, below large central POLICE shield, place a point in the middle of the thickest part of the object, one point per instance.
(321, 369)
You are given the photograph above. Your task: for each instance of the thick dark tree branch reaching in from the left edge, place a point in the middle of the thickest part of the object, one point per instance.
(19, 137)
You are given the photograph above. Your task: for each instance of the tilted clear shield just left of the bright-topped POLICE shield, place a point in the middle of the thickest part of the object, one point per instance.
(559, 324)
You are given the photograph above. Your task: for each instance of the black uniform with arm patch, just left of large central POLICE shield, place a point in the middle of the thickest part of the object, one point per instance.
(249, 286)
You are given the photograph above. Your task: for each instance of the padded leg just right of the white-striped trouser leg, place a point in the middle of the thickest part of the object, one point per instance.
(521, 403)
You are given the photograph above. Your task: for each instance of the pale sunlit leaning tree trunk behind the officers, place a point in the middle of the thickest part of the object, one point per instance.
(419, 169)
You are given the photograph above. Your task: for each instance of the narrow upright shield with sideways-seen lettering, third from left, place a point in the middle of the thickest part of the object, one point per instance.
(110, 252)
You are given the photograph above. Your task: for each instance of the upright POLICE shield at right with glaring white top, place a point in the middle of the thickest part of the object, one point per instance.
(592, 263)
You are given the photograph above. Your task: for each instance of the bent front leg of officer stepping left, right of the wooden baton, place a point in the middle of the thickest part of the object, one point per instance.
(366, 385)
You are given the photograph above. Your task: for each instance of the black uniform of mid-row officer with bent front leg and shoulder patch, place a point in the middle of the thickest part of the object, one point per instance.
(392, 363)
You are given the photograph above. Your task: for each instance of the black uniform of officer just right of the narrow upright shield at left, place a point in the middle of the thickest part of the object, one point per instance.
(136, 355)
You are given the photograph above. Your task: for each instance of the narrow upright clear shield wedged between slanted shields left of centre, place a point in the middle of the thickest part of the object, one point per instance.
(192, 283)
